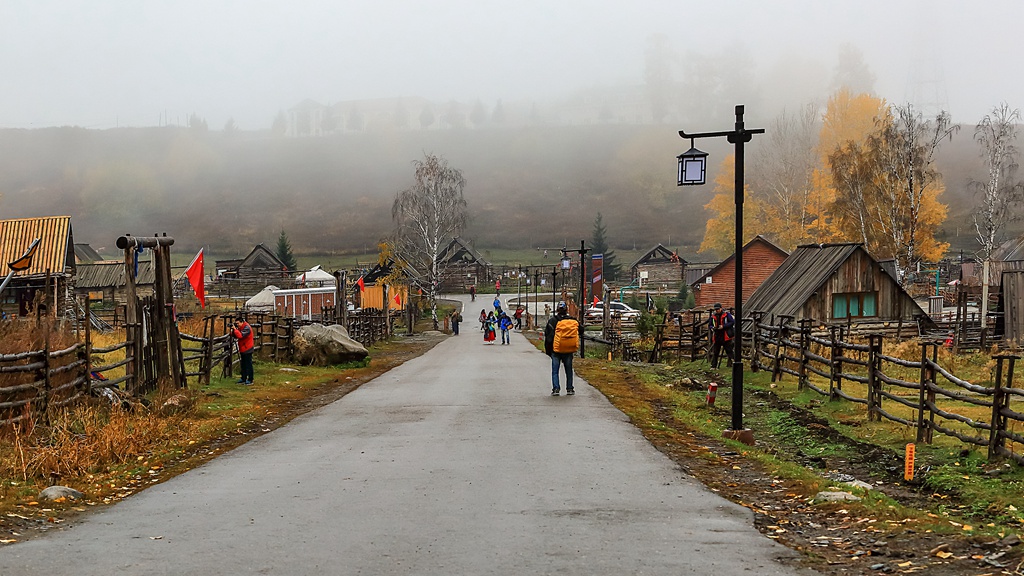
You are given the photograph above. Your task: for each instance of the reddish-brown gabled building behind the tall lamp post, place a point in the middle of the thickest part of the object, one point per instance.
(761, 259)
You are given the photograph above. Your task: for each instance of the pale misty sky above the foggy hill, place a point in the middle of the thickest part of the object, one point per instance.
(102, 64)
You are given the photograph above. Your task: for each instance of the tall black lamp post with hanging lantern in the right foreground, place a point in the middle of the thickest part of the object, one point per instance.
(692, 173)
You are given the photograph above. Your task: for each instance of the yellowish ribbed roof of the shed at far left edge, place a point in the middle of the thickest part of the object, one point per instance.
(56, 252)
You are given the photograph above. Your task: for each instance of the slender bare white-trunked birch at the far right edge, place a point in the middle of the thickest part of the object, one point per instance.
(997, 135)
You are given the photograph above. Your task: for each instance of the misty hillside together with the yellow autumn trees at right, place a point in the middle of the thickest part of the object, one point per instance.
(527, 187)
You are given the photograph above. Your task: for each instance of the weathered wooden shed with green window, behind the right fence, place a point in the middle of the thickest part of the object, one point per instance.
(833, 282)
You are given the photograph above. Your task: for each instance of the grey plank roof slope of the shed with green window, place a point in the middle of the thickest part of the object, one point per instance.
(807, 269)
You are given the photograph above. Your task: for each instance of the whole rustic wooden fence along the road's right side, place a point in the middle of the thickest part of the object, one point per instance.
(847, 363)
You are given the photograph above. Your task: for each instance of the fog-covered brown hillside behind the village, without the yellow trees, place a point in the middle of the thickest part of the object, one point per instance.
(527, 187)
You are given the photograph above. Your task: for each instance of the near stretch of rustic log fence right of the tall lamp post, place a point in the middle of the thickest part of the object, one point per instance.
(931, 397)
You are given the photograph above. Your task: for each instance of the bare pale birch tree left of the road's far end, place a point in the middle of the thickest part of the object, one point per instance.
(428, 217)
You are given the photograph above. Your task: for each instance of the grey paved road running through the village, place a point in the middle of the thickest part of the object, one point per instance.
(455, 464)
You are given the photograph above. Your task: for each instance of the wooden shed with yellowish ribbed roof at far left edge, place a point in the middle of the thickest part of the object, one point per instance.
(56, 255)
